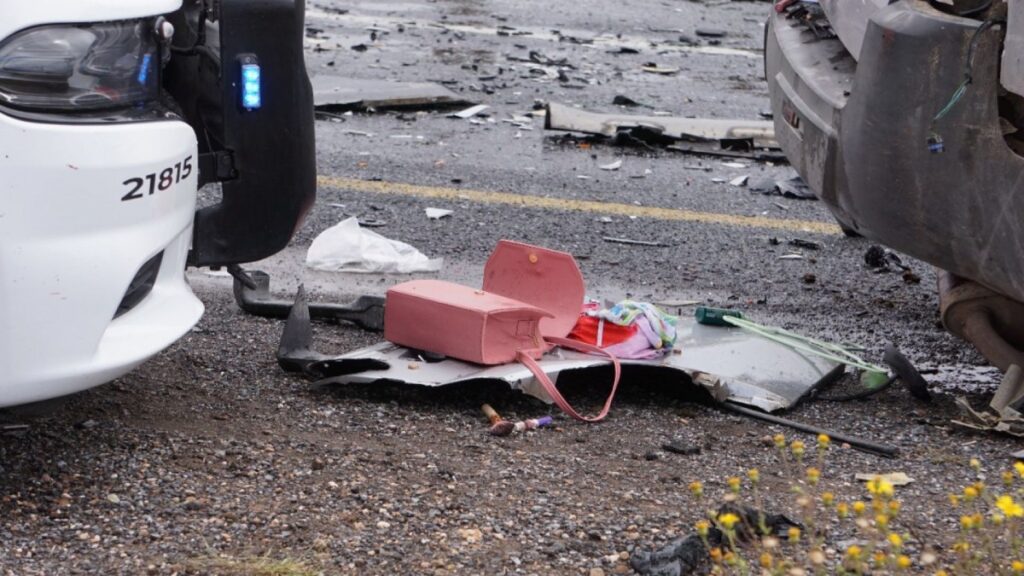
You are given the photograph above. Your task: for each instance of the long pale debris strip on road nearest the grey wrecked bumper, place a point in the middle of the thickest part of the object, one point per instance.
(760, 134)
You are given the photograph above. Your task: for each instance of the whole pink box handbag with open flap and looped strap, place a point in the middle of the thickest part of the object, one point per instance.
(531, 301)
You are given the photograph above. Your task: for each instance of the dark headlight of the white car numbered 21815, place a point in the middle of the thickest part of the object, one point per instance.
(81, 68)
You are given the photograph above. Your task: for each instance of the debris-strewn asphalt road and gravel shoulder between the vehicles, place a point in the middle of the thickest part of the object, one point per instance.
(209, 460)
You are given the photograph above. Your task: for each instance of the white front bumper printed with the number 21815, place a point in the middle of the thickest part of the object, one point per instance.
(73, 249)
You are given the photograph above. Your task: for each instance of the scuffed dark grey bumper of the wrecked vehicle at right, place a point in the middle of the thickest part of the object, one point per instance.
(859, 133)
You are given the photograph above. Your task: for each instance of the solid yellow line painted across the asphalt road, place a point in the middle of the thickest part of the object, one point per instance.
(572, 205)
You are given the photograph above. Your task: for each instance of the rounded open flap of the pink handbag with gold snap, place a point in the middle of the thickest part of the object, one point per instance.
(547, 279)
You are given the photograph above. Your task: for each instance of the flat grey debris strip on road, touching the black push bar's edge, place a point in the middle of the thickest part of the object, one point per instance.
(340, 95)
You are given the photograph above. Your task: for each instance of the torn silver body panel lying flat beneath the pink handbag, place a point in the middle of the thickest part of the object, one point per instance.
(730, 364)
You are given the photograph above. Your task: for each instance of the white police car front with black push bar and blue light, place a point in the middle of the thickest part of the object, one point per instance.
(103, 111)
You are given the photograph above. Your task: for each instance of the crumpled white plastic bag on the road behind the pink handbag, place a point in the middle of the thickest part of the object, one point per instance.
(347, 248)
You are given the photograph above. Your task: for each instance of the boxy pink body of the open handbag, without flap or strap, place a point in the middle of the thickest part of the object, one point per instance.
(461, 322)
